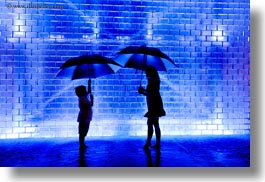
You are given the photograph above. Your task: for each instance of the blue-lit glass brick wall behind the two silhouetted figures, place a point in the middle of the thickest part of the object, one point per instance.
(208, 93)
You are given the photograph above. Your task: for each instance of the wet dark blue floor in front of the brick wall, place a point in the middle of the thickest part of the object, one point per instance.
(176, 151)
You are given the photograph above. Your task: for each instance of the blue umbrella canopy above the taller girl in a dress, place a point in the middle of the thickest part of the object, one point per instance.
(139, 57)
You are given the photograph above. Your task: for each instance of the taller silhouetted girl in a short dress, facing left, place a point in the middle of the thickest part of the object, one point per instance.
(154, 105)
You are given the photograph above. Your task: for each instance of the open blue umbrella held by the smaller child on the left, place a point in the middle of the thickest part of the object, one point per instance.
(87, 66)
